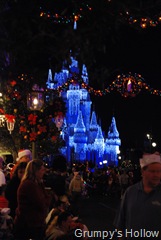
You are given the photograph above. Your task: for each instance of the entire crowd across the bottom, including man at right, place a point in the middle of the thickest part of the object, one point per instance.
(42, 203)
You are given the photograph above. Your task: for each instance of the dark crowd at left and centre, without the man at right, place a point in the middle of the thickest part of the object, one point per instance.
(44, 203)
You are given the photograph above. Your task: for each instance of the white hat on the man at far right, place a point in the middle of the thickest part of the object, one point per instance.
(150, 158)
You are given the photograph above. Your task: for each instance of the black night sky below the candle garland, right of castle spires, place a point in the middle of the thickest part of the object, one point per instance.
(135, 117)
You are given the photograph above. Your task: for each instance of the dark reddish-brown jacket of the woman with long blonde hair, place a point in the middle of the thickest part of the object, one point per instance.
(33, 204)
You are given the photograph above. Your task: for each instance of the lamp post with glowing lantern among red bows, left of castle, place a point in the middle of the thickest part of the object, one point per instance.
(35, 102)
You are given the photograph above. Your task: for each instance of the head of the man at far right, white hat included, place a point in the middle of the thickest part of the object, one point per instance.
(151, 169)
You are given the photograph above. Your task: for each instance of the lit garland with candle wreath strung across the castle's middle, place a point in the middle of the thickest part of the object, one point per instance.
(128, 85)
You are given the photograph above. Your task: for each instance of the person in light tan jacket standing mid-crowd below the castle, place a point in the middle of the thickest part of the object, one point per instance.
(75, 190)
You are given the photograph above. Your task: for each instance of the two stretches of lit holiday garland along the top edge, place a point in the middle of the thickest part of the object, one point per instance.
(136, 16)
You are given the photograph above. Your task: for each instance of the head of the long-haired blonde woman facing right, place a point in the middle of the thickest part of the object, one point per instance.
(35, 170)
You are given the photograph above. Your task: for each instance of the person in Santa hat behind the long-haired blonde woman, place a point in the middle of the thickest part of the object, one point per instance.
(24, 155)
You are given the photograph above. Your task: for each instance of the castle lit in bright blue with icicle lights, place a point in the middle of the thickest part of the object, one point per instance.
(83, 135)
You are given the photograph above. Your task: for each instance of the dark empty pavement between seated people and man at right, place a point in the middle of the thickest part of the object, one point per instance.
(98, 212)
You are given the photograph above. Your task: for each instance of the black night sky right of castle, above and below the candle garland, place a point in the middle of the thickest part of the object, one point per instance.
(136, 52)
